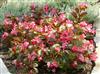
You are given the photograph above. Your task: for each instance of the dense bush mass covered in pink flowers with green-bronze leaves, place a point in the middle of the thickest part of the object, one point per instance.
(51, 38)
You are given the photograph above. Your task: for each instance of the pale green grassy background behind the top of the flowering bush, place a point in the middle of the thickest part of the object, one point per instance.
(19, 7)
